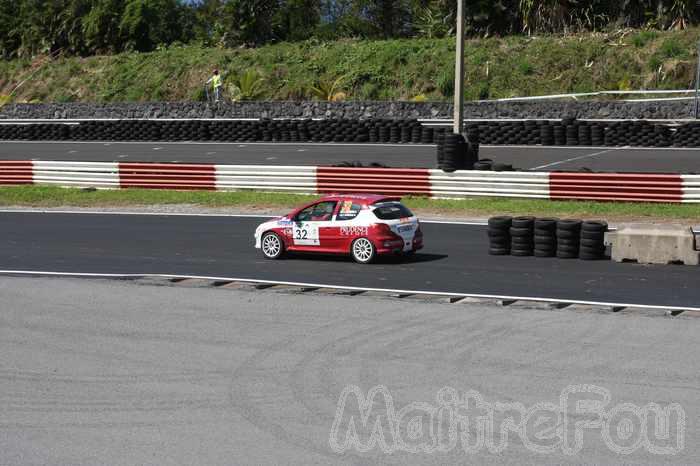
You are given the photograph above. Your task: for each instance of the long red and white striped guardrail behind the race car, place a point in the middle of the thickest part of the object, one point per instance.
(634, 187)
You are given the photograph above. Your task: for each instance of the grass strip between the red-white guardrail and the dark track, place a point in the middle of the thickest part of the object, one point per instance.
(43, 196)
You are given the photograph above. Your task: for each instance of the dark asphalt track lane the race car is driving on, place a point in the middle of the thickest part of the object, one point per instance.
(455, 259)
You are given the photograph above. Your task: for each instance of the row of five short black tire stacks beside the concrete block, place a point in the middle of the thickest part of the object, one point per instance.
(546, 237)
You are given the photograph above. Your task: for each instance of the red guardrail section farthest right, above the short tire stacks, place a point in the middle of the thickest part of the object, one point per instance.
(616, 187)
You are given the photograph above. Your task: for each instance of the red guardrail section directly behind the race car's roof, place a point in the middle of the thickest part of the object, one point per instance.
(394, 181)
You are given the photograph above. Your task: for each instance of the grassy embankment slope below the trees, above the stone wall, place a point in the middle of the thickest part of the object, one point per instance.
(374, 70)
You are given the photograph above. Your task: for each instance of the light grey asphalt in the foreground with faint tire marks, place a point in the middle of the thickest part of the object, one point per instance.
(108, 372)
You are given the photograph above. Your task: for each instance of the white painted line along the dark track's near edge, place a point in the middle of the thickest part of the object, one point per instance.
(350, 288)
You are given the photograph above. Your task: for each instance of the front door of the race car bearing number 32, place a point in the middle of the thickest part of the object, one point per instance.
(312, 227)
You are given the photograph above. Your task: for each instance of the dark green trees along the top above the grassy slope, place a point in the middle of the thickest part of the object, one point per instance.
(89, 27)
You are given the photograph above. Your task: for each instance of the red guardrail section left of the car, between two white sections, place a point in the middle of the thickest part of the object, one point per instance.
(167, 176)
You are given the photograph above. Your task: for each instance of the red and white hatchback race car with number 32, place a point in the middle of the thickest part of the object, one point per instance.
(362, 225)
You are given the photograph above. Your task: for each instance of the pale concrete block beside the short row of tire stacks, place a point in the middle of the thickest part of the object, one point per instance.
(654, 244)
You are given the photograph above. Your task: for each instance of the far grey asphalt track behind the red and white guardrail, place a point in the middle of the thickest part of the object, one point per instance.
(611, 159)
